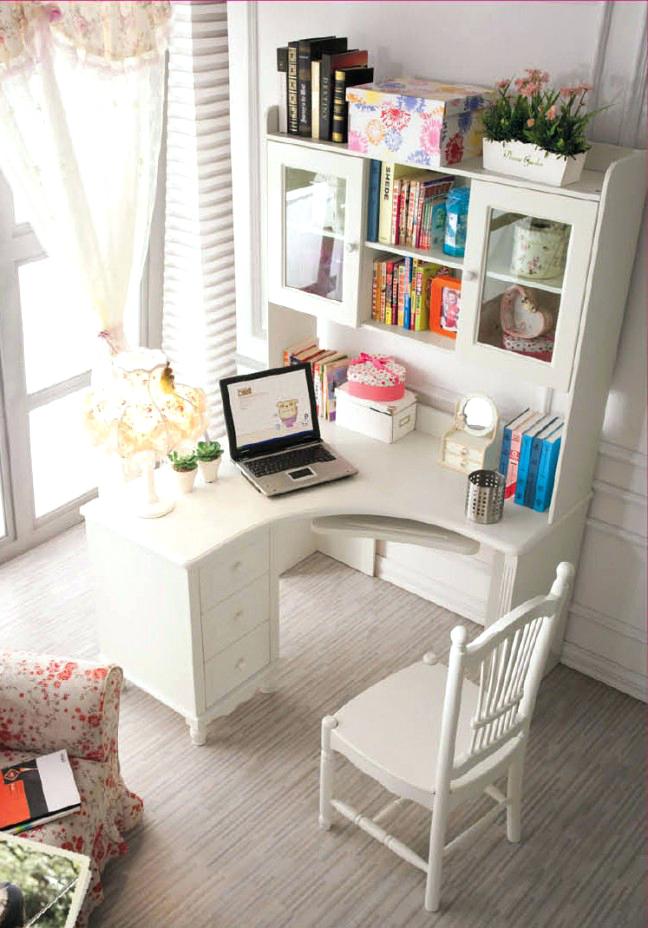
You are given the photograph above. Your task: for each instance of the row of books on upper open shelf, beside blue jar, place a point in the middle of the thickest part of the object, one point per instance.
(406, 206)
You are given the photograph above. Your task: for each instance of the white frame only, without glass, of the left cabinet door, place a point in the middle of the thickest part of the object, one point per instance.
(352, 171)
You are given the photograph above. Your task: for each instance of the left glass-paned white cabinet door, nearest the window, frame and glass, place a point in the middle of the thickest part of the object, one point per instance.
(314, 227)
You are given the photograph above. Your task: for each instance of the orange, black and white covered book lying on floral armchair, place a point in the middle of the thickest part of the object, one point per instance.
(36, 791)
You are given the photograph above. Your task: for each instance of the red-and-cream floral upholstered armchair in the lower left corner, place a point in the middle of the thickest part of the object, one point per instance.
(47, 704)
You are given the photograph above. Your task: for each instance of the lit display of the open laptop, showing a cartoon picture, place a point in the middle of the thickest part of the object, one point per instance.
(270, 407)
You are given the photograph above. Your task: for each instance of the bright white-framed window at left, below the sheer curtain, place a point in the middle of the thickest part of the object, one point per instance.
(47, 343)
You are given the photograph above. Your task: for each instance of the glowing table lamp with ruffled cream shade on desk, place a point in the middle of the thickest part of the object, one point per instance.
(142, 415)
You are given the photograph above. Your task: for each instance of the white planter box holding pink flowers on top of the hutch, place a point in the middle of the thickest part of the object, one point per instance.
(519, 159)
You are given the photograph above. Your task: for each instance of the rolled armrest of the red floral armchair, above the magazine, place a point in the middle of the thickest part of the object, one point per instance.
(50, 703)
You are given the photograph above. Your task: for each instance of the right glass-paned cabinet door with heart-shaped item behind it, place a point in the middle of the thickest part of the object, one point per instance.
(525, 269)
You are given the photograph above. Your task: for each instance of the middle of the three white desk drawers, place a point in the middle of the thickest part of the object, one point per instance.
(235, 616)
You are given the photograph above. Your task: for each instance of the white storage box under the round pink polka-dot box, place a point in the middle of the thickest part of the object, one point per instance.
(385, 421)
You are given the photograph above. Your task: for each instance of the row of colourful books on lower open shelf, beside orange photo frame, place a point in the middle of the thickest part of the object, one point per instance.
(400, 291)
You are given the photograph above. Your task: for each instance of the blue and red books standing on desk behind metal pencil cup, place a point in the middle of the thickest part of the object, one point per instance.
(529, 457)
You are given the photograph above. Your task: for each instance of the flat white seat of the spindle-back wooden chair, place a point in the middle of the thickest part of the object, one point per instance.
(392, 730)
